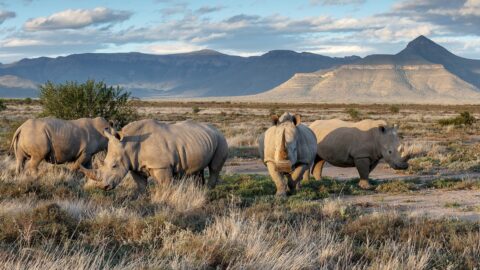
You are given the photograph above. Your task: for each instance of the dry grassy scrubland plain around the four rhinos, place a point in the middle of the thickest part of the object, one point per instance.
(59, 221)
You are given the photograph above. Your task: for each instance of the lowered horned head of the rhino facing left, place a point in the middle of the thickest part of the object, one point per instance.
(116, 164)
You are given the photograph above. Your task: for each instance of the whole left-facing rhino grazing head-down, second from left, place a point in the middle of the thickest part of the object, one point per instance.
(161, 150)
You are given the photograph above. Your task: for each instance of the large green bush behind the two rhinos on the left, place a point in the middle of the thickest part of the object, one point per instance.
(72, 100)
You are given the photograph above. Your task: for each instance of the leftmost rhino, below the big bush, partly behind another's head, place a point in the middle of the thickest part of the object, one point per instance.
(58, 141)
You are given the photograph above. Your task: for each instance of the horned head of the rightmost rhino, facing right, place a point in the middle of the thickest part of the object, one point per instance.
(391, 149)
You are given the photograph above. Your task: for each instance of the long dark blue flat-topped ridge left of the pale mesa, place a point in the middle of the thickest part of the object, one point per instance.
(195, 74)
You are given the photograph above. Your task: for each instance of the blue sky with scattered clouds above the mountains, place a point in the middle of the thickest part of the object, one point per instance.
(34, 28)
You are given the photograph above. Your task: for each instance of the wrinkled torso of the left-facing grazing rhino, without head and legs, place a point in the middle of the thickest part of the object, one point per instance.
(186, 147)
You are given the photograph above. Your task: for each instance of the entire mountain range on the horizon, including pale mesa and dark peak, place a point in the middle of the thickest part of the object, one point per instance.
(423, 72)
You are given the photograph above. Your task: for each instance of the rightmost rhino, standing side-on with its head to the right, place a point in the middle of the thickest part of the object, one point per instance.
(360, 145)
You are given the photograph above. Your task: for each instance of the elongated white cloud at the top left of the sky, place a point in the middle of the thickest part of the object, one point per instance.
(76, 18)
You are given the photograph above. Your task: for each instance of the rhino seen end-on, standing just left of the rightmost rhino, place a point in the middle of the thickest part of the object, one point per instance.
(288, 149)
